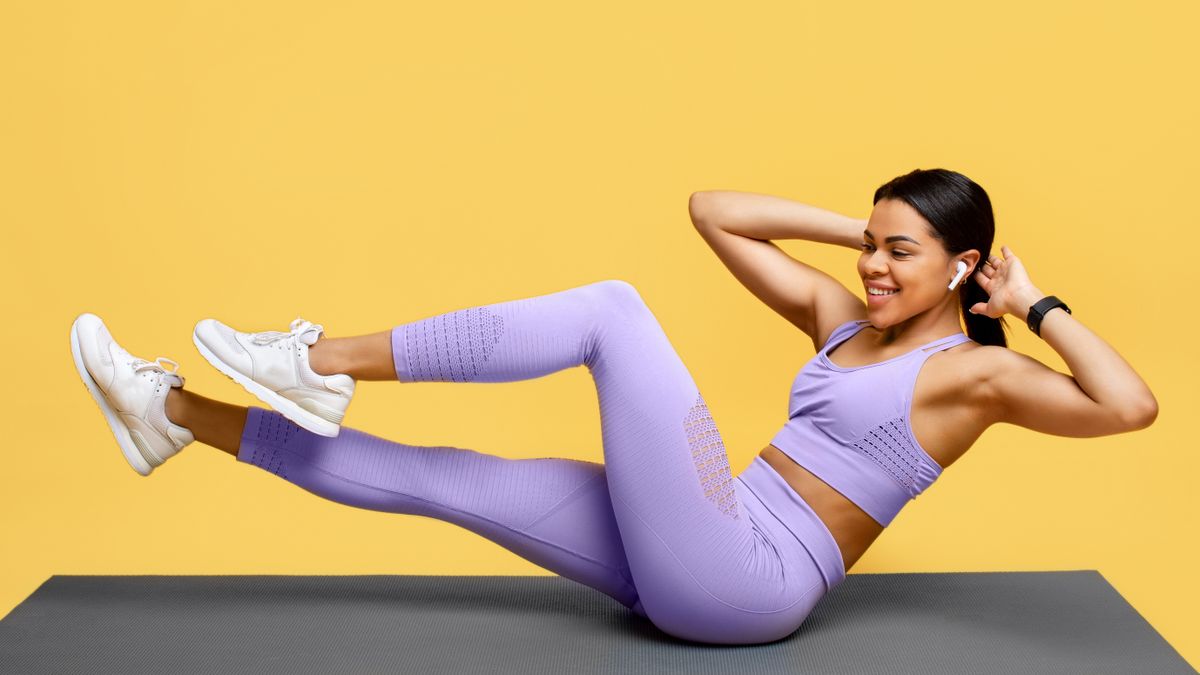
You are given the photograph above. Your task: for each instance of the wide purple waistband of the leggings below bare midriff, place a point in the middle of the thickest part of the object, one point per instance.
(797, 517)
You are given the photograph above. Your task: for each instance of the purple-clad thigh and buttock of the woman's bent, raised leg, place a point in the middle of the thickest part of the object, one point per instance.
(706, 559)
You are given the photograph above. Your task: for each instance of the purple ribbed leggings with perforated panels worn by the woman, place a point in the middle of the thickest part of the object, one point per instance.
(662, 525)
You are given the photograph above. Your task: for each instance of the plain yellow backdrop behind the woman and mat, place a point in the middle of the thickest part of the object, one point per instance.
(370, 164)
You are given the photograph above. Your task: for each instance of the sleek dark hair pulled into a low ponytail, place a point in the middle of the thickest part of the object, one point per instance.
(961, 214)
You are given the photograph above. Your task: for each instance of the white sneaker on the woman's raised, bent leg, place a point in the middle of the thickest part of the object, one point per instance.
(274, 367)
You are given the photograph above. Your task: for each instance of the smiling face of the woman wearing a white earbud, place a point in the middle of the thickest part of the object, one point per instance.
(902, 258)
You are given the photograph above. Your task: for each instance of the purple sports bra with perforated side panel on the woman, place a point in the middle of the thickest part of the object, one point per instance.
(850, 427)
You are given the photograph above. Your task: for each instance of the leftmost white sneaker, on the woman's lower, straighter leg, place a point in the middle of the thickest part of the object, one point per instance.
(131, 393)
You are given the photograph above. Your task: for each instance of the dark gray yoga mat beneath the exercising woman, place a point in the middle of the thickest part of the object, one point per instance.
(891, 624)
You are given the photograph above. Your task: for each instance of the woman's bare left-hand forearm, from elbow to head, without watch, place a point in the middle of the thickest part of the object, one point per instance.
(765, 218)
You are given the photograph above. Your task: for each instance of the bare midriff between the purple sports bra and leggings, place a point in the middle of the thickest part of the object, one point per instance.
(851, 527)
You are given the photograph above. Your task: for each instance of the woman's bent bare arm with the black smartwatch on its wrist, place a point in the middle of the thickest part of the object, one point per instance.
(1106, 395)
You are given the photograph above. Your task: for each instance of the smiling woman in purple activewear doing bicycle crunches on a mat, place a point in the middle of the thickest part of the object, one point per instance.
(662, 525)
